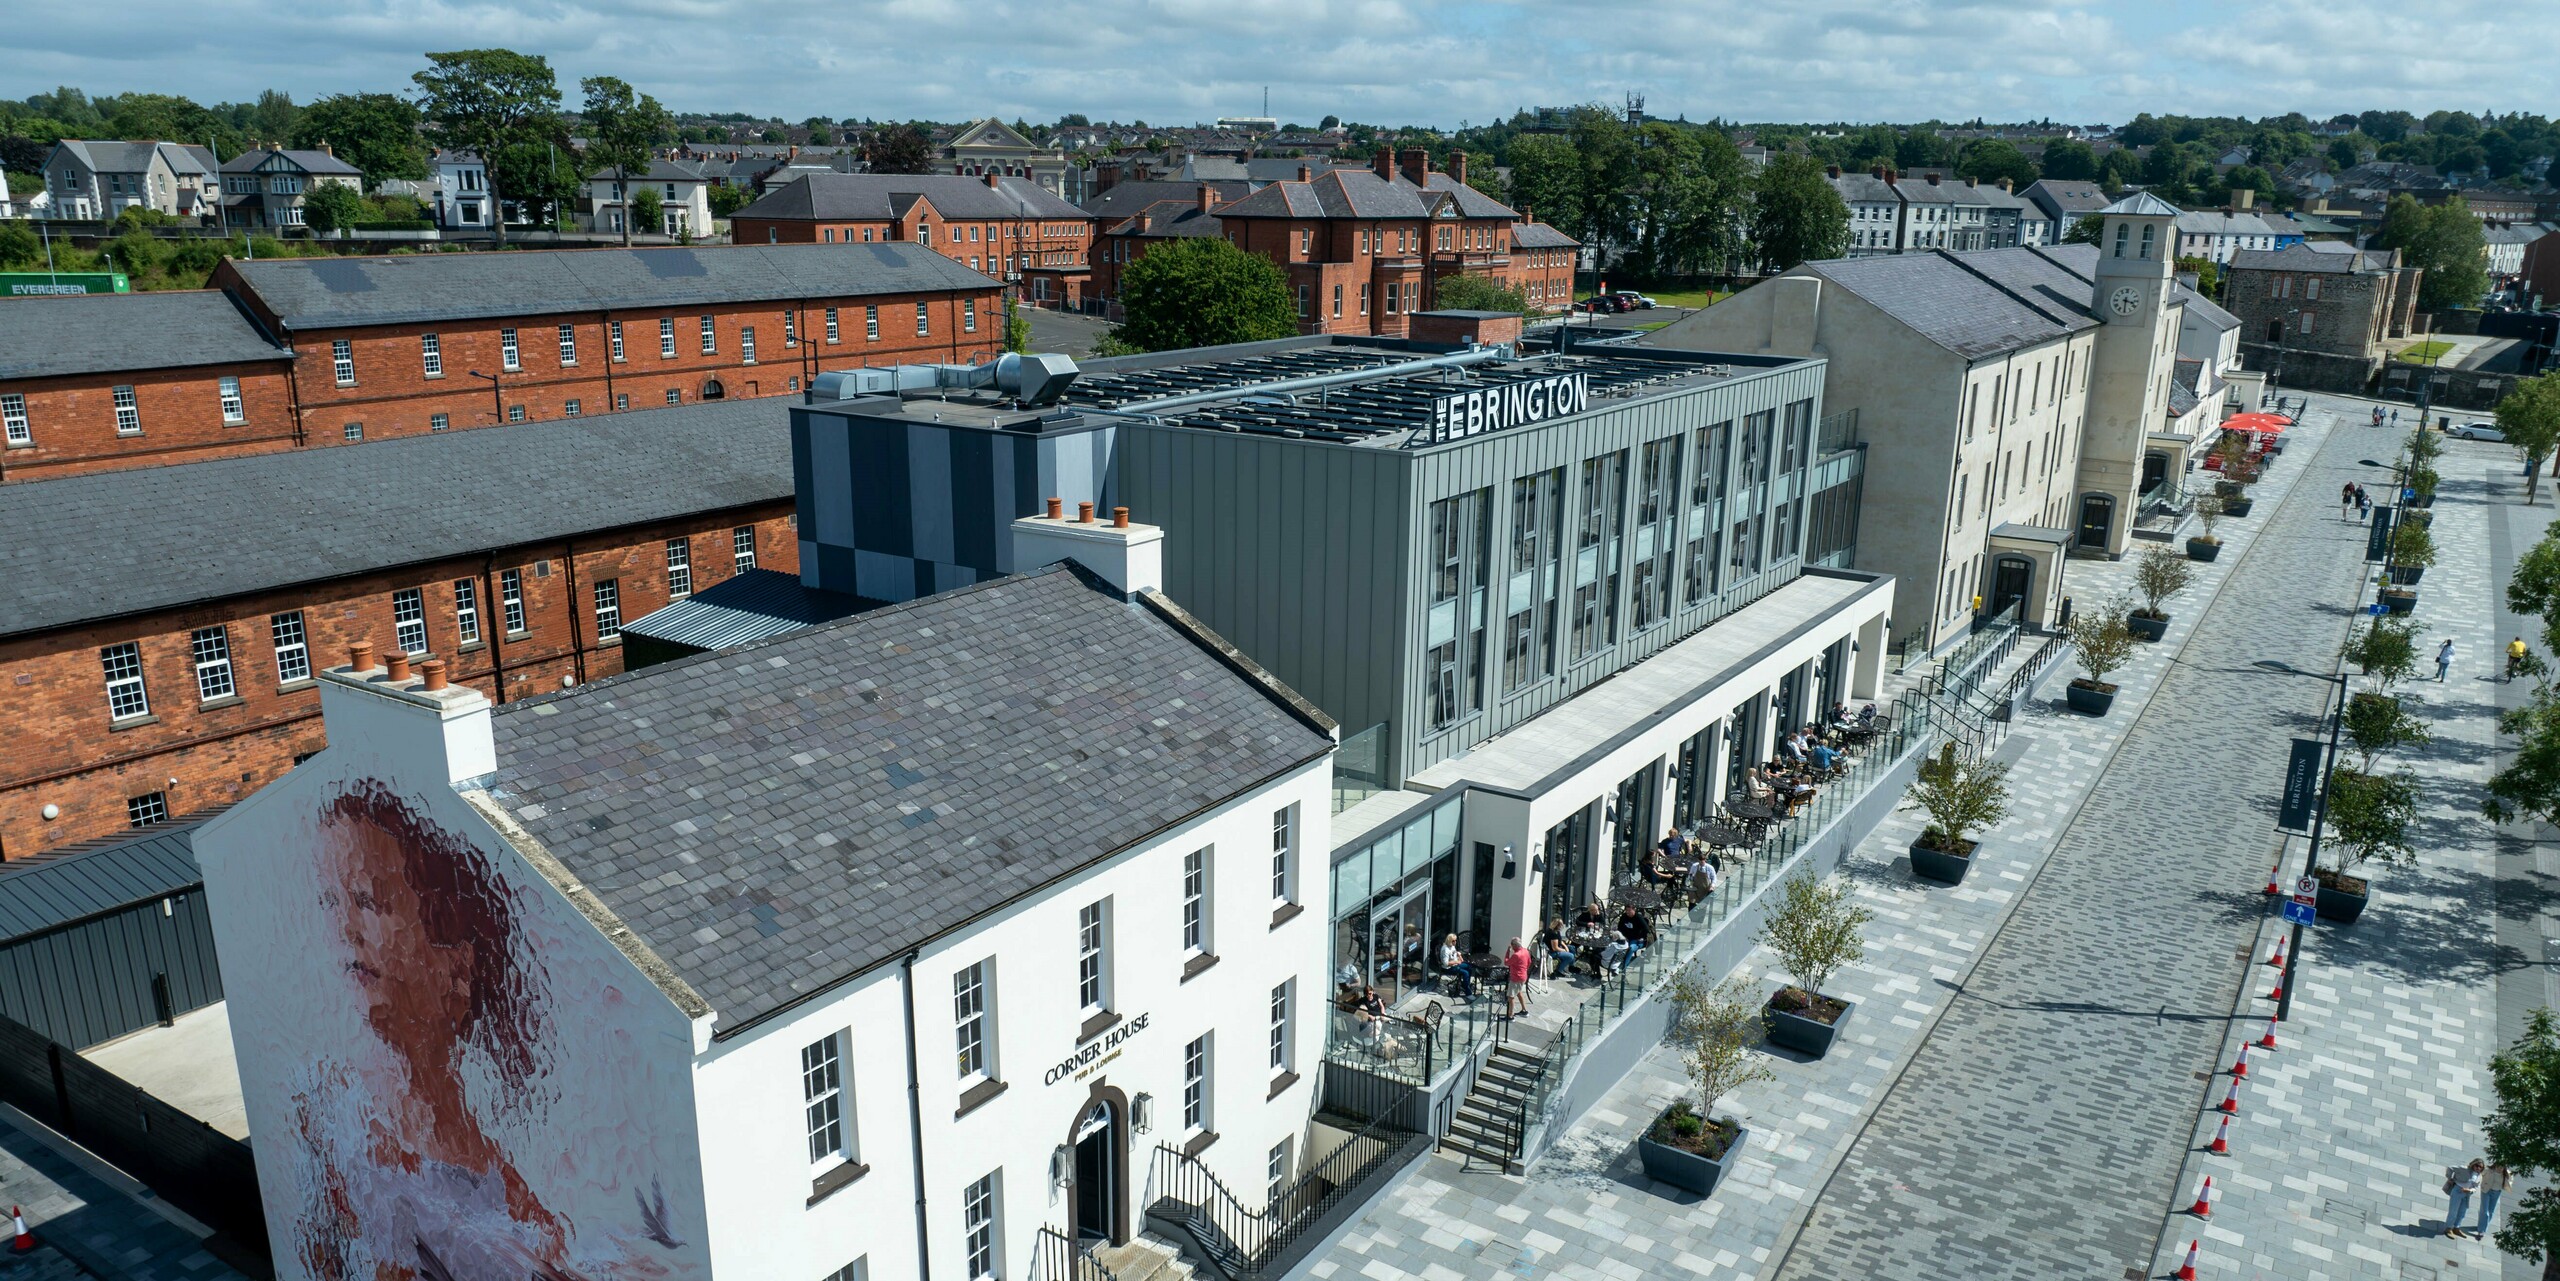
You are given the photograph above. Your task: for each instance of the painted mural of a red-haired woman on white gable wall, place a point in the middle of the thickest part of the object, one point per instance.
(434, 1134)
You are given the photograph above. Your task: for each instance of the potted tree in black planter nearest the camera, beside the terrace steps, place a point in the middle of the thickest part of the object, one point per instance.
(1688, 1144)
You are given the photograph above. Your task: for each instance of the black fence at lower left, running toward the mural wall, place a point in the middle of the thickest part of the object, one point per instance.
(186, 1162)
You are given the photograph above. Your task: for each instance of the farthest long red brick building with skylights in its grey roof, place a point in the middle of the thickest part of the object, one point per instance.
(442, 342)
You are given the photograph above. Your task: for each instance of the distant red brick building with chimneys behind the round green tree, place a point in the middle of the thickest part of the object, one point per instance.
(1363, 250)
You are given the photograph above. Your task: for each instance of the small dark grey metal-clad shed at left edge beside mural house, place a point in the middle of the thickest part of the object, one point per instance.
(109, 936)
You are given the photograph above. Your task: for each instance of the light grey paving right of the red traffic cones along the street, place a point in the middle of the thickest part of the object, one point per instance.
(2382, 1070)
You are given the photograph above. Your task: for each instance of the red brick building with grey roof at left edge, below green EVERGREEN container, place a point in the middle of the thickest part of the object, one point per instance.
(134, 380)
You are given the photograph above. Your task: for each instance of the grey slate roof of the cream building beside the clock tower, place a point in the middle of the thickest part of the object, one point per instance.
(1970, 304)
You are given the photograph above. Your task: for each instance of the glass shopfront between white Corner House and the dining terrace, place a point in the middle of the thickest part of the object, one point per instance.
(1394, 903)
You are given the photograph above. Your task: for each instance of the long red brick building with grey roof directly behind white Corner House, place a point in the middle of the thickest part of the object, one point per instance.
(168, 670)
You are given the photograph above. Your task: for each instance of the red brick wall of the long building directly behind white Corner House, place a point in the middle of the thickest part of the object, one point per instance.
(68, 749)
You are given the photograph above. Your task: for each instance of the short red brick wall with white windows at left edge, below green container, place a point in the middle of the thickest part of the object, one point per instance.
(73, 419)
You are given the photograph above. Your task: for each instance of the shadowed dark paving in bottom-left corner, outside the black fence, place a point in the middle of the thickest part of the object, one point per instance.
(81, 1218)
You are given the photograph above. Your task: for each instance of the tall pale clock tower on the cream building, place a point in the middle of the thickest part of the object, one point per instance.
(2129, 368)
